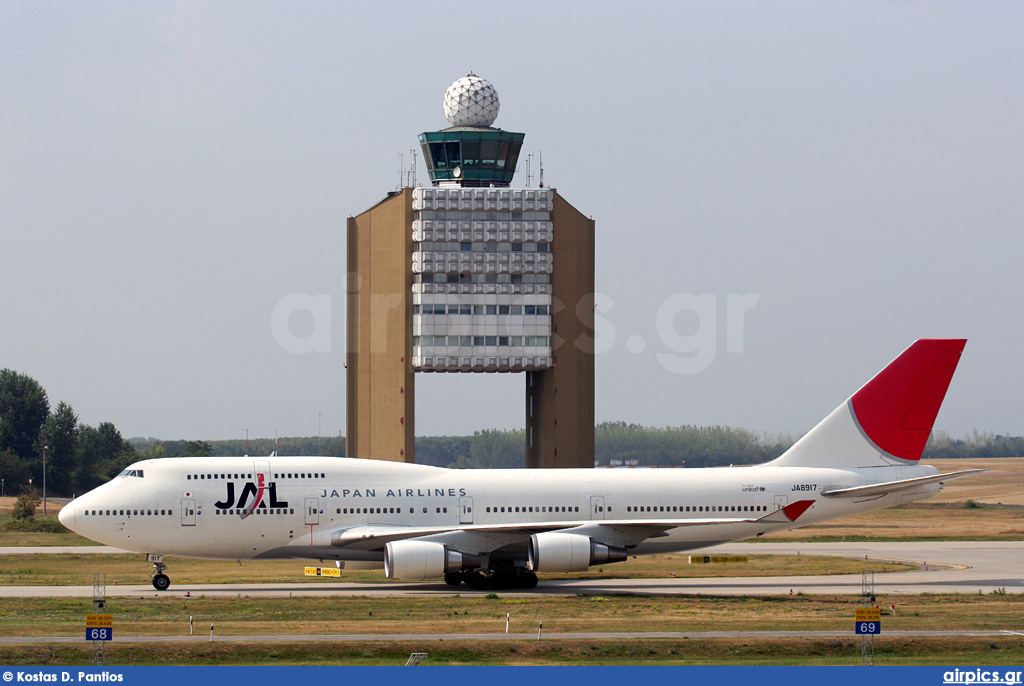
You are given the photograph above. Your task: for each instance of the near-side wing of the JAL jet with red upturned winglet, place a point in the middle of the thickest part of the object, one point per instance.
(376, 537)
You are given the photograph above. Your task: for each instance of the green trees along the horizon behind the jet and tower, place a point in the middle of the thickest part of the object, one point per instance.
(81, 457)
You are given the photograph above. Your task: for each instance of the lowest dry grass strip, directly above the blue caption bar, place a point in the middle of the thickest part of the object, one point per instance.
(976, 652)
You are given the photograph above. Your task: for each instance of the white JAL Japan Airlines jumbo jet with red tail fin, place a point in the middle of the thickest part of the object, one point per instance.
(497, 529)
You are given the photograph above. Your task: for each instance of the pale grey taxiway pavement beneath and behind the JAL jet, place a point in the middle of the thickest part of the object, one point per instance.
(962, 567)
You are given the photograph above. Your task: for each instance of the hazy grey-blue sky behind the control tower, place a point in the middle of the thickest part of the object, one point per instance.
(841, 179)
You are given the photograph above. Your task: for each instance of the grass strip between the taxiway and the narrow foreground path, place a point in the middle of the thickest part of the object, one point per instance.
(168, 616)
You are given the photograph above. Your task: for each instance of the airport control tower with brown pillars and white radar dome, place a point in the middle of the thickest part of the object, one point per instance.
(472, 276)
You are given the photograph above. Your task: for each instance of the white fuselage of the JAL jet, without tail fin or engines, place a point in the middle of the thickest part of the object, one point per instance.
(200, 507)
